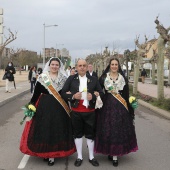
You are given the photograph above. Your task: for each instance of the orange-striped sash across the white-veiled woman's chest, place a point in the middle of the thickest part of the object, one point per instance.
(55, 93)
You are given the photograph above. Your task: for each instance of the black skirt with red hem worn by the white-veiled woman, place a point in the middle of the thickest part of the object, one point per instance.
(49, 133)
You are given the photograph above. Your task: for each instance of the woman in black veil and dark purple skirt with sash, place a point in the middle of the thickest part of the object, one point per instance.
(115, 134)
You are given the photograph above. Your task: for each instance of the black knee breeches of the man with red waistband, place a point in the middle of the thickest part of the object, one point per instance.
(84, 124)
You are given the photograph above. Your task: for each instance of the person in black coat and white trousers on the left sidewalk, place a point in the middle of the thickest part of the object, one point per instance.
(9, 72)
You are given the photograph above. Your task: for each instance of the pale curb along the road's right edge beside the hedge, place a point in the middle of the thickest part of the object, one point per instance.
(157, 110)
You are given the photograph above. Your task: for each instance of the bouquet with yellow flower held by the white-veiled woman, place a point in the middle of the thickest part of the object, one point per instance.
(29, 111)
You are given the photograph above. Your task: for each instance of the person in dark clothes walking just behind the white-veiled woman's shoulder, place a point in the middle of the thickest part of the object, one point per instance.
(32, 78)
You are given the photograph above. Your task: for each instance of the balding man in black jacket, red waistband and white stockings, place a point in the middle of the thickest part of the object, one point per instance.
(79, 91)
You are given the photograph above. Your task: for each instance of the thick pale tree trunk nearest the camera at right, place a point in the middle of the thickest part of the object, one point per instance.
(160, 68)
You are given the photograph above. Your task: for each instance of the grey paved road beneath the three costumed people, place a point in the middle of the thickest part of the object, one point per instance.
(152, 134)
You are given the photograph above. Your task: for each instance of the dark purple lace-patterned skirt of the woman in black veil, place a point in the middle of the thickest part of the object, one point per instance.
(115, 130)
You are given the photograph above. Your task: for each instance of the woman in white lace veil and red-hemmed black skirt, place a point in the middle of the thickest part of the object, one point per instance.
(49, 134)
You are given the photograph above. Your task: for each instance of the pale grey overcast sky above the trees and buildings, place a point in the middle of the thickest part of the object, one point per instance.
(84, 26)
